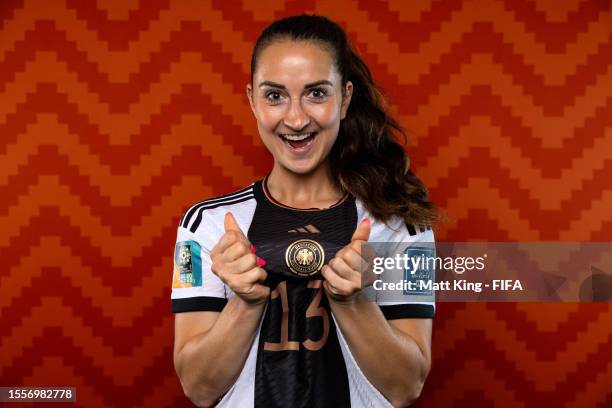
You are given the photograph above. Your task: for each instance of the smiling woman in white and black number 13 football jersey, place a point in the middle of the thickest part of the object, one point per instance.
(271, 275)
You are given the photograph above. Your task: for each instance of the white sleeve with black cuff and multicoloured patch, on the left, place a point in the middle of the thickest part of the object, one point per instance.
(194, 286)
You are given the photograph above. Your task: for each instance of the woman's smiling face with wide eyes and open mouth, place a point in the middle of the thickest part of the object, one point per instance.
(298, 103)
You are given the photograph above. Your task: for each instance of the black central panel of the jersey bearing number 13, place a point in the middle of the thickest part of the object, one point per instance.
(299, 360)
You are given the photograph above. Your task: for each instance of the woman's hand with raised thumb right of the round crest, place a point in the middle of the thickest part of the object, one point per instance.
(344, 276)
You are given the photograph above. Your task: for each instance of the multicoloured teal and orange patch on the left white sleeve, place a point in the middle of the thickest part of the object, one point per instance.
(187, 265)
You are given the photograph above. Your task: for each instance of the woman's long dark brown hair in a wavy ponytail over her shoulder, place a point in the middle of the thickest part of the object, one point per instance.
(367, 160)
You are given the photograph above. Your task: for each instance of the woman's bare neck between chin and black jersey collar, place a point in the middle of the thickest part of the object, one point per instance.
(312, 190)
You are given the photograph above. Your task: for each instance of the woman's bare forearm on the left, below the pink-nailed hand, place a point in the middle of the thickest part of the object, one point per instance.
(210, 362)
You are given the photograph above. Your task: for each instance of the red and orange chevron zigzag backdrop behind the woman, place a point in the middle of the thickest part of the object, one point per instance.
(114, 116)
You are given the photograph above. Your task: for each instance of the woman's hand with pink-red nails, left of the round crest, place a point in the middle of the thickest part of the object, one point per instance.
(235, 263)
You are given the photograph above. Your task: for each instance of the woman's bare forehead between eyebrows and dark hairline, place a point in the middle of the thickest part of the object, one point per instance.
(294, 62)
